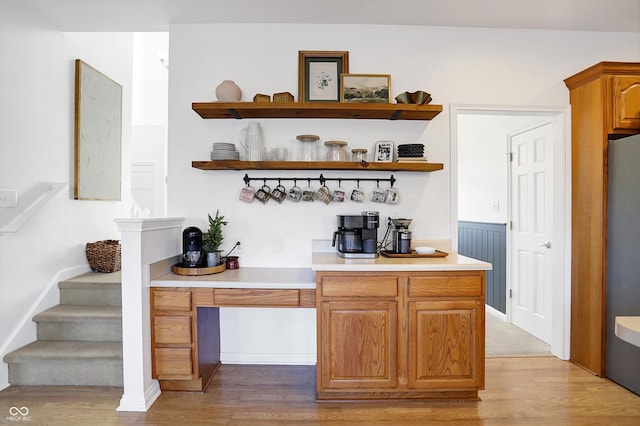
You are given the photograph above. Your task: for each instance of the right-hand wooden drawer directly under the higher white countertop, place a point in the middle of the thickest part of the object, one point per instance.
(445, 285)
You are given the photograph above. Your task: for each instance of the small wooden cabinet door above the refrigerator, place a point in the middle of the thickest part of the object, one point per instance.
(626, 102)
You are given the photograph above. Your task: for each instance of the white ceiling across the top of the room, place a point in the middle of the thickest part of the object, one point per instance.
(157, 15)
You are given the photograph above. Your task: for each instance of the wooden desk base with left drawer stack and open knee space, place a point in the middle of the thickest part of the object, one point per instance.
(185, 329)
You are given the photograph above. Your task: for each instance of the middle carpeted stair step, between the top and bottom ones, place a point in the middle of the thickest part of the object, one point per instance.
(80, 323)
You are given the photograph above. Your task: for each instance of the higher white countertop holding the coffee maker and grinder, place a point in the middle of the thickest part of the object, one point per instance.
(326, 261)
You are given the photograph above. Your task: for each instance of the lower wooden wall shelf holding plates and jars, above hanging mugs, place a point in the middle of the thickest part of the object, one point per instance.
(316, 165)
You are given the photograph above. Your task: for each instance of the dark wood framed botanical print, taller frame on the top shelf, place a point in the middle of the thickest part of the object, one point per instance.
(319, 75)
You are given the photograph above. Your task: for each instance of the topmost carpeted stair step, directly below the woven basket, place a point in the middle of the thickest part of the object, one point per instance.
(93, 288)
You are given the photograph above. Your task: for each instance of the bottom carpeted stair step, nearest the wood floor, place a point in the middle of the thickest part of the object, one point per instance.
(51, 363)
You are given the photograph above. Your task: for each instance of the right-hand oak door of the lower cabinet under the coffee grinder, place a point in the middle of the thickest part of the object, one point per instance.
(445, 349)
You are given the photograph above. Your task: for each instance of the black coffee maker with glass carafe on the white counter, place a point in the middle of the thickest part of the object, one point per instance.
(357, 235)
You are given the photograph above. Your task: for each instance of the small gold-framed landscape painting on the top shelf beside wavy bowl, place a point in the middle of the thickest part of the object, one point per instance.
(369, 88)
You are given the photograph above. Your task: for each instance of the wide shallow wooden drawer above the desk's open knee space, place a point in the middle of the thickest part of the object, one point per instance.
(244, 297)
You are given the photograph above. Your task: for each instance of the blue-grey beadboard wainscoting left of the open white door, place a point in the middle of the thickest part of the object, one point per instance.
(487, 242)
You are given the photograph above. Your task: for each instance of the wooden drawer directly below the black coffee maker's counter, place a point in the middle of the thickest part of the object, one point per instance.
(359, 286)
